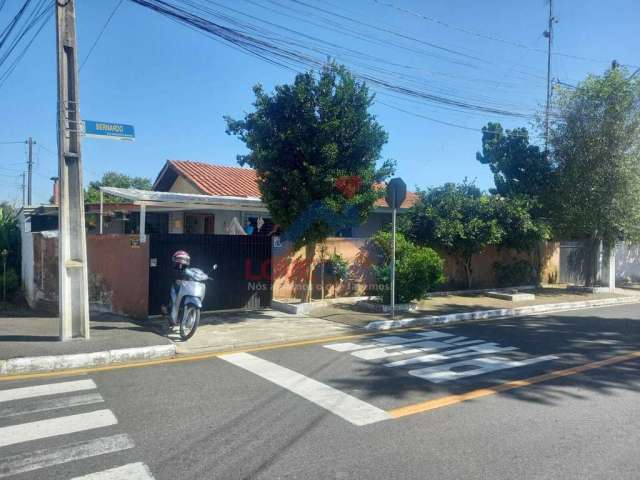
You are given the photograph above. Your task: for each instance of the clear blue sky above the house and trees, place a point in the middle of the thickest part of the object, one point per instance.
(175, 84)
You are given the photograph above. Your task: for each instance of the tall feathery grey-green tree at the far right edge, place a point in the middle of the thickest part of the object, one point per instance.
(595, 142)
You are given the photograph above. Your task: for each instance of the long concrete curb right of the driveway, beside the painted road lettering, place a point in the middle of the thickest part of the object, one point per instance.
(381, 325)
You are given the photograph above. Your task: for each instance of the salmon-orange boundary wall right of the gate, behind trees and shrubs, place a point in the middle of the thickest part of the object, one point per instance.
(289, 267)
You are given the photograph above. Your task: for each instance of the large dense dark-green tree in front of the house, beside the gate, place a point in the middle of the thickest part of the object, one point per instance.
(303, 138)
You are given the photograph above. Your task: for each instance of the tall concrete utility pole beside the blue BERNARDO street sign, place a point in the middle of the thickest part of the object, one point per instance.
(72, 248)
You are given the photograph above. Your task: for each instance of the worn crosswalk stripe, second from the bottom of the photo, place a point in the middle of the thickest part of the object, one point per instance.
(30, 461)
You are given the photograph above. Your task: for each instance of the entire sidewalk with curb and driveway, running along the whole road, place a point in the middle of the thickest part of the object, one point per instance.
(29, 343)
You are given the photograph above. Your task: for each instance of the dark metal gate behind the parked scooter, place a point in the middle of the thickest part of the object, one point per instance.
(243, 277)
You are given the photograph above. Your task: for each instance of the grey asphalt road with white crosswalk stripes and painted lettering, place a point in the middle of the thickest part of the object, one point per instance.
(364, 408)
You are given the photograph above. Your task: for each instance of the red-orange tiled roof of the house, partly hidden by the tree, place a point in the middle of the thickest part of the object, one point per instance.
(213, 179)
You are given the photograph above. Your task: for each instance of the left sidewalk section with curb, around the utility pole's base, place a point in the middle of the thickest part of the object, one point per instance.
(29, 342)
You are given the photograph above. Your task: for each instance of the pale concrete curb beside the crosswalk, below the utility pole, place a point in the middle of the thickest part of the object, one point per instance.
(15, 366)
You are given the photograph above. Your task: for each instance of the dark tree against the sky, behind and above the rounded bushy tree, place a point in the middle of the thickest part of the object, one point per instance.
(518, 167)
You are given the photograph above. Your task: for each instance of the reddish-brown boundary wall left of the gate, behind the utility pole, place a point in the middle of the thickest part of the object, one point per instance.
(118, 273)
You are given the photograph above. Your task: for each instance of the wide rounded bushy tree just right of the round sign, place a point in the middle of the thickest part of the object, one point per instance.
(456, 218)
